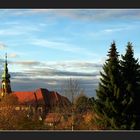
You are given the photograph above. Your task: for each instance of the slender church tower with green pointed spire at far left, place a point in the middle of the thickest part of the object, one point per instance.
(6, 88)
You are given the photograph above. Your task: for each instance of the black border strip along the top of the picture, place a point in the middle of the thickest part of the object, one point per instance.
(69, 4)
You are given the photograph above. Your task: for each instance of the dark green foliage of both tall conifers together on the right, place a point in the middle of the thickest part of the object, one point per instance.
(118, 93)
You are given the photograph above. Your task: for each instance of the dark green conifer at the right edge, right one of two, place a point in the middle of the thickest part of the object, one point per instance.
(130, 70)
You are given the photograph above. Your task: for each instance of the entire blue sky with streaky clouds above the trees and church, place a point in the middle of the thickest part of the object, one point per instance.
(47, 47)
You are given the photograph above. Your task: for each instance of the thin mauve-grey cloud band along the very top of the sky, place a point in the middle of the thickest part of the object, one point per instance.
(82, 14)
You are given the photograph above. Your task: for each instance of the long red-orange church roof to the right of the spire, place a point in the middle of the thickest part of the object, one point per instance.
(41, 97)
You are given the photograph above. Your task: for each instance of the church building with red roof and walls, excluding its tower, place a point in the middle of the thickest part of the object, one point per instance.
(41, 99)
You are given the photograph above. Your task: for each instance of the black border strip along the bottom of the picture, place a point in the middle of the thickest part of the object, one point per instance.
(70, 135)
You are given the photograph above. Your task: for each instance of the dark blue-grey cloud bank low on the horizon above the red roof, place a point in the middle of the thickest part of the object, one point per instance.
(27, 81)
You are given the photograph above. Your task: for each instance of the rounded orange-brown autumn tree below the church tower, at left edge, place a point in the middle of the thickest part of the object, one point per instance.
(9, 117)
